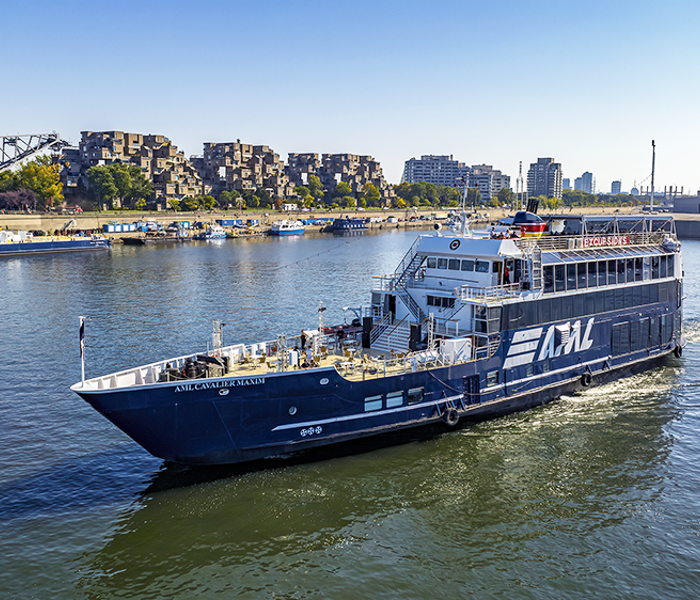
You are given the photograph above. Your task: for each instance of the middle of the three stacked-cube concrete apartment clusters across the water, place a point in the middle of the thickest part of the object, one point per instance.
(239, 167)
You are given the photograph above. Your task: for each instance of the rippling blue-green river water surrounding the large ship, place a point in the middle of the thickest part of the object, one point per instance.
(594, 496)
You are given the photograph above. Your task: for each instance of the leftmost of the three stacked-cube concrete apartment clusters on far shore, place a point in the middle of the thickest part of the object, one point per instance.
(173, 177)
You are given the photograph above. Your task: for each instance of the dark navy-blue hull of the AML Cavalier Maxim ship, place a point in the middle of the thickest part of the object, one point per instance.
(230, 420)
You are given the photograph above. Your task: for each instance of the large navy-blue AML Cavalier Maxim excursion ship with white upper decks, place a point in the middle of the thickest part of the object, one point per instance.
(467, 327)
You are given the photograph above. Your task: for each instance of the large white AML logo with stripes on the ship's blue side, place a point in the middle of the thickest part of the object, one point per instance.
(559, 339)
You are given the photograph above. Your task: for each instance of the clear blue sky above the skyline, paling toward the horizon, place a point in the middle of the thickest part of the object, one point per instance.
(500, 82)
